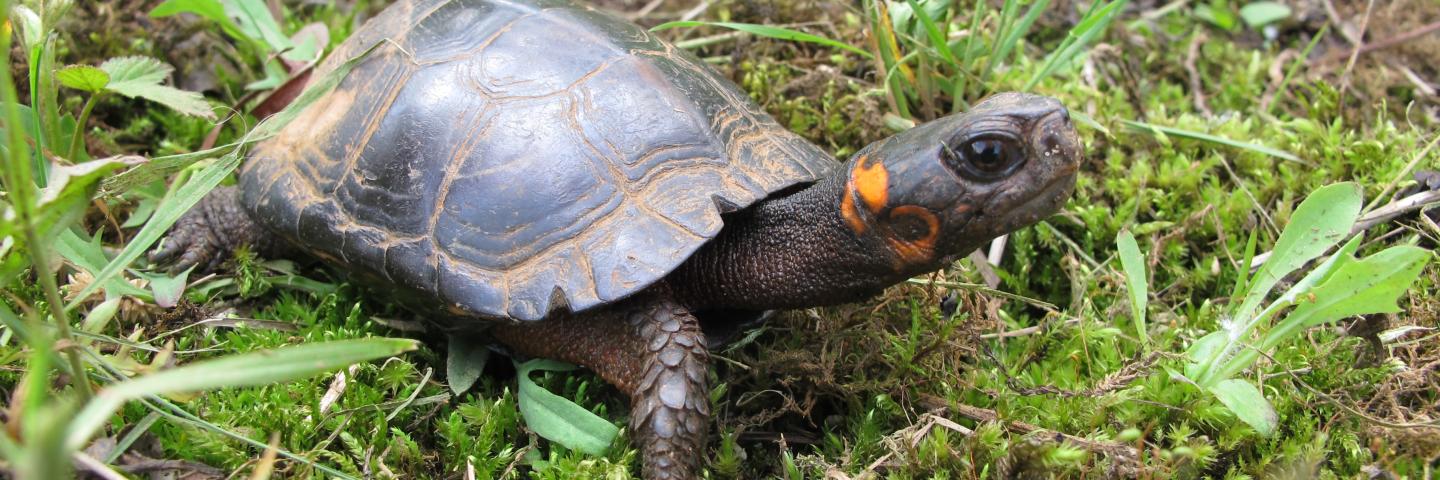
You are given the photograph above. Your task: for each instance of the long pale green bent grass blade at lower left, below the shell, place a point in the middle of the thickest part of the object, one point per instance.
(246, 370)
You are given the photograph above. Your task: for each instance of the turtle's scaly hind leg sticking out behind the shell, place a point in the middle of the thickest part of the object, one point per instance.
(210, 234)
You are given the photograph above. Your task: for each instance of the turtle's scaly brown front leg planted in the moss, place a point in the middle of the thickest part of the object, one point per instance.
(652, 350)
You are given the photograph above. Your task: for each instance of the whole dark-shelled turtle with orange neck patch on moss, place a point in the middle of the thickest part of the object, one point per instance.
(567, 185)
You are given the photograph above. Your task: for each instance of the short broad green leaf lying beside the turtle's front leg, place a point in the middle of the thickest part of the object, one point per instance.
(558, 419)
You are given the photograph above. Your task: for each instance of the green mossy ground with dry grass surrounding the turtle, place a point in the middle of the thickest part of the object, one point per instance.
(878, 390)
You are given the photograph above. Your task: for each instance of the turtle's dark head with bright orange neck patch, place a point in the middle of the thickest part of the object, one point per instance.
(945, 188)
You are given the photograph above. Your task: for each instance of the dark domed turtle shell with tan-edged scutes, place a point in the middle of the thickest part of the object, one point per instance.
(512, 159)
